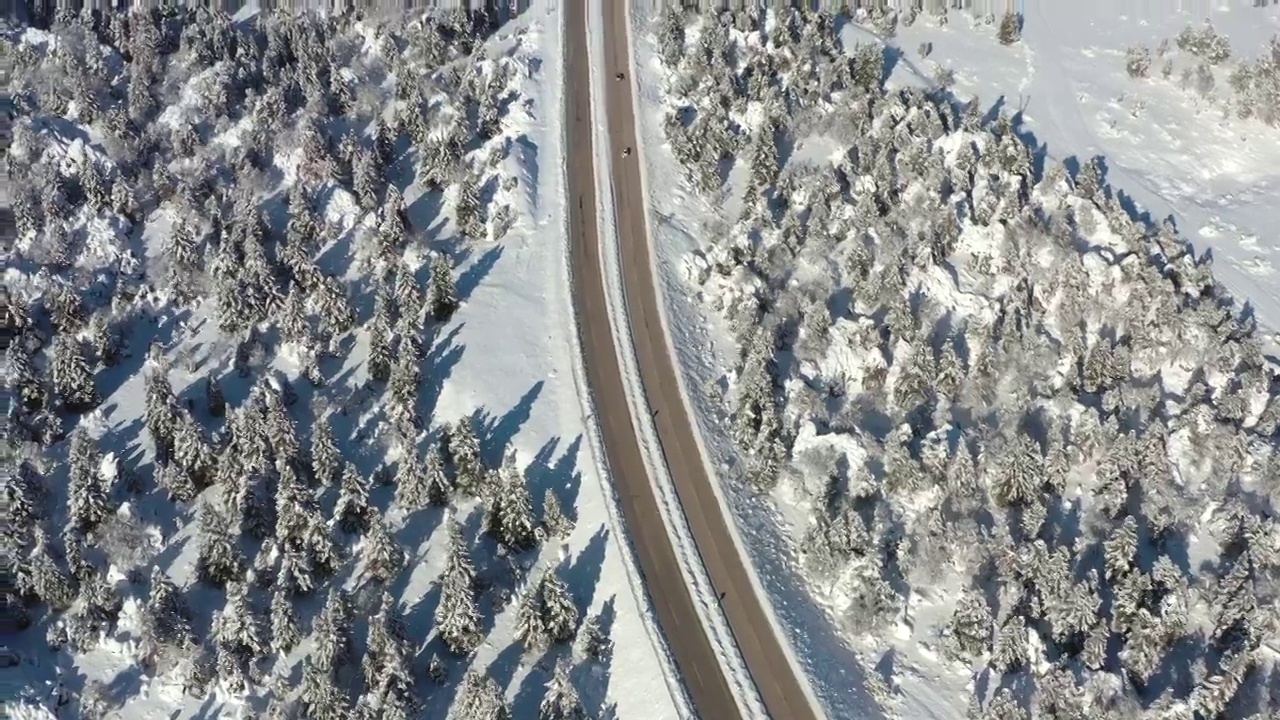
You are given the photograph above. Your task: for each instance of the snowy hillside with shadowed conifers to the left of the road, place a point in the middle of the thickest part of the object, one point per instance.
(287, 317)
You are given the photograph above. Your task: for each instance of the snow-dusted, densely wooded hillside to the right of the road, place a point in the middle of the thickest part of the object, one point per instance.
(1013, 439)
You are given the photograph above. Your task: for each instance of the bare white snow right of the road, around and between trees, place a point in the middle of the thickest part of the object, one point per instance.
(1169, 152)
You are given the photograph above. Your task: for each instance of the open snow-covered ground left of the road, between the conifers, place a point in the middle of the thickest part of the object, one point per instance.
(508, 354)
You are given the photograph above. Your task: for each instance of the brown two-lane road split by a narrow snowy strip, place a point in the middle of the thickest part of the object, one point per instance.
(775, 677)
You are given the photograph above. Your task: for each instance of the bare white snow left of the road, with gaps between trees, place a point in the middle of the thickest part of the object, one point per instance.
(509, 354)
